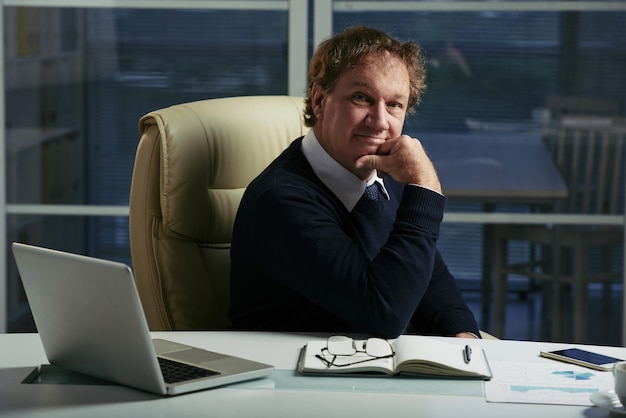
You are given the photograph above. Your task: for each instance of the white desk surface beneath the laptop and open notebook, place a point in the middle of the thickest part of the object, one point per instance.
(285, 394)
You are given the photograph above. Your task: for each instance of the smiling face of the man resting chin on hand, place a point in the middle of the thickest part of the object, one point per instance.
(367, 107)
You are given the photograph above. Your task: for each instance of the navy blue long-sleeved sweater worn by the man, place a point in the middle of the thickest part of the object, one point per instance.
(301, 262)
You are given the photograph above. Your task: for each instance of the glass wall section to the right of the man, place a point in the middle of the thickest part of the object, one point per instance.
(489, 121)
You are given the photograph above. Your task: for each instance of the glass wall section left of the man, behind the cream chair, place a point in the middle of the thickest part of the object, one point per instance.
(76, 82)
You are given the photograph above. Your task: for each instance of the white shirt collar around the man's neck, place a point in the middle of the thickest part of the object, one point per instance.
(345, 185)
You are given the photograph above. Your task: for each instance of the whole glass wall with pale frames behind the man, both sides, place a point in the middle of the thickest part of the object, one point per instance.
(76, 81)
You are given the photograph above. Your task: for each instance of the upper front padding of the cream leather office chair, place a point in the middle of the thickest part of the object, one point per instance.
(211, 150)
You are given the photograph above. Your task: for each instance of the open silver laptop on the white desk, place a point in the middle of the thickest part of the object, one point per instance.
(90, 320)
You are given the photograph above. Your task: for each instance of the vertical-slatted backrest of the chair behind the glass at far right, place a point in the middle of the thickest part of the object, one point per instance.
(589, 153)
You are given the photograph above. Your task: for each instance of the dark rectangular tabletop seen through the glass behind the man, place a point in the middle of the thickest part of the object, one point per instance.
(494, 166)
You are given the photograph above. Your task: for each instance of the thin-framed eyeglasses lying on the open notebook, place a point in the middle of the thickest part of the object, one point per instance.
(340, 347)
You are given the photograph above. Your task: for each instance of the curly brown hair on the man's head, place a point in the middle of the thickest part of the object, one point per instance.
(346, 50)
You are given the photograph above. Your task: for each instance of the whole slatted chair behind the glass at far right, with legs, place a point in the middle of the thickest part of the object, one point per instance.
(589, 153)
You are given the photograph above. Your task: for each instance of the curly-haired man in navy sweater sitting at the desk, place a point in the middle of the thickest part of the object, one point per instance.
(309, 251)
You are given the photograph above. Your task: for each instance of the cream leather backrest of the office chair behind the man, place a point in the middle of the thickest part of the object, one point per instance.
(193, 163)
